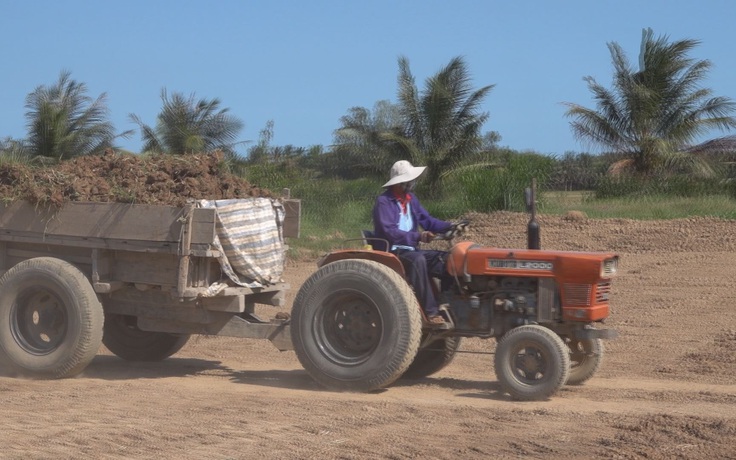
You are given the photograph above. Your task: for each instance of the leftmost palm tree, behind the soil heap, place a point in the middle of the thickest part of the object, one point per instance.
(64, 122)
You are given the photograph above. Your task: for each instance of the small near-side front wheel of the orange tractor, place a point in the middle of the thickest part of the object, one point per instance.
(531, 362)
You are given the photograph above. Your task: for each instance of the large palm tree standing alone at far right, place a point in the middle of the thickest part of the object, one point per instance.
(653, 113)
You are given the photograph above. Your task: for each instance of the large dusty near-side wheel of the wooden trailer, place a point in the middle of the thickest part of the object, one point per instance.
(50, 319)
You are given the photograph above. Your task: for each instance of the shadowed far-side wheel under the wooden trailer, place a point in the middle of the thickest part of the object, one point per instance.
(125, 340)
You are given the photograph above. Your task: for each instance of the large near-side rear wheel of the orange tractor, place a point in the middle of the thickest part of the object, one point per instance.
(356, 325)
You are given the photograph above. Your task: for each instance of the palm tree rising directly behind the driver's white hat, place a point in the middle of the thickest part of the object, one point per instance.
(438, 128)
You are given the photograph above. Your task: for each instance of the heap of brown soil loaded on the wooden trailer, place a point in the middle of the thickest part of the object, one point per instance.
(126, 178)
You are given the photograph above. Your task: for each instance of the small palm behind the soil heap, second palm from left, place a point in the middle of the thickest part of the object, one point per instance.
(186, 125)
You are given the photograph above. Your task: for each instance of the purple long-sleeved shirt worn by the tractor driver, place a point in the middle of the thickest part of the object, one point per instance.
(386, 220)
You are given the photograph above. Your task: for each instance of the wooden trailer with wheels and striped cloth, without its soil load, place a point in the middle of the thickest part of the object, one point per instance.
(140, 279)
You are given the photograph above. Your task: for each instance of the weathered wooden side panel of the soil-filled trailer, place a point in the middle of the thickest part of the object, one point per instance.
(114, 243)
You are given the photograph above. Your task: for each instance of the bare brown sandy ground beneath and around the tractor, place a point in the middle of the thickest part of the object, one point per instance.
(667, 388)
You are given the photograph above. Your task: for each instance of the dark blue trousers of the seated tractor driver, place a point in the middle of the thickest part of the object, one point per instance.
(420, 267)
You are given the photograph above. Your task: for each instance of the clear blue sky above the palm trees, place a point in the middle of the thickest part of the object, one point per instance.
(303, 64)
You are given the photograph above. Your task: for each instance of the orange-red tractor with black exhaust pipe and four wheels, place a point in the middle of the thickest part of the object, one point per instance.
(357, 326)
